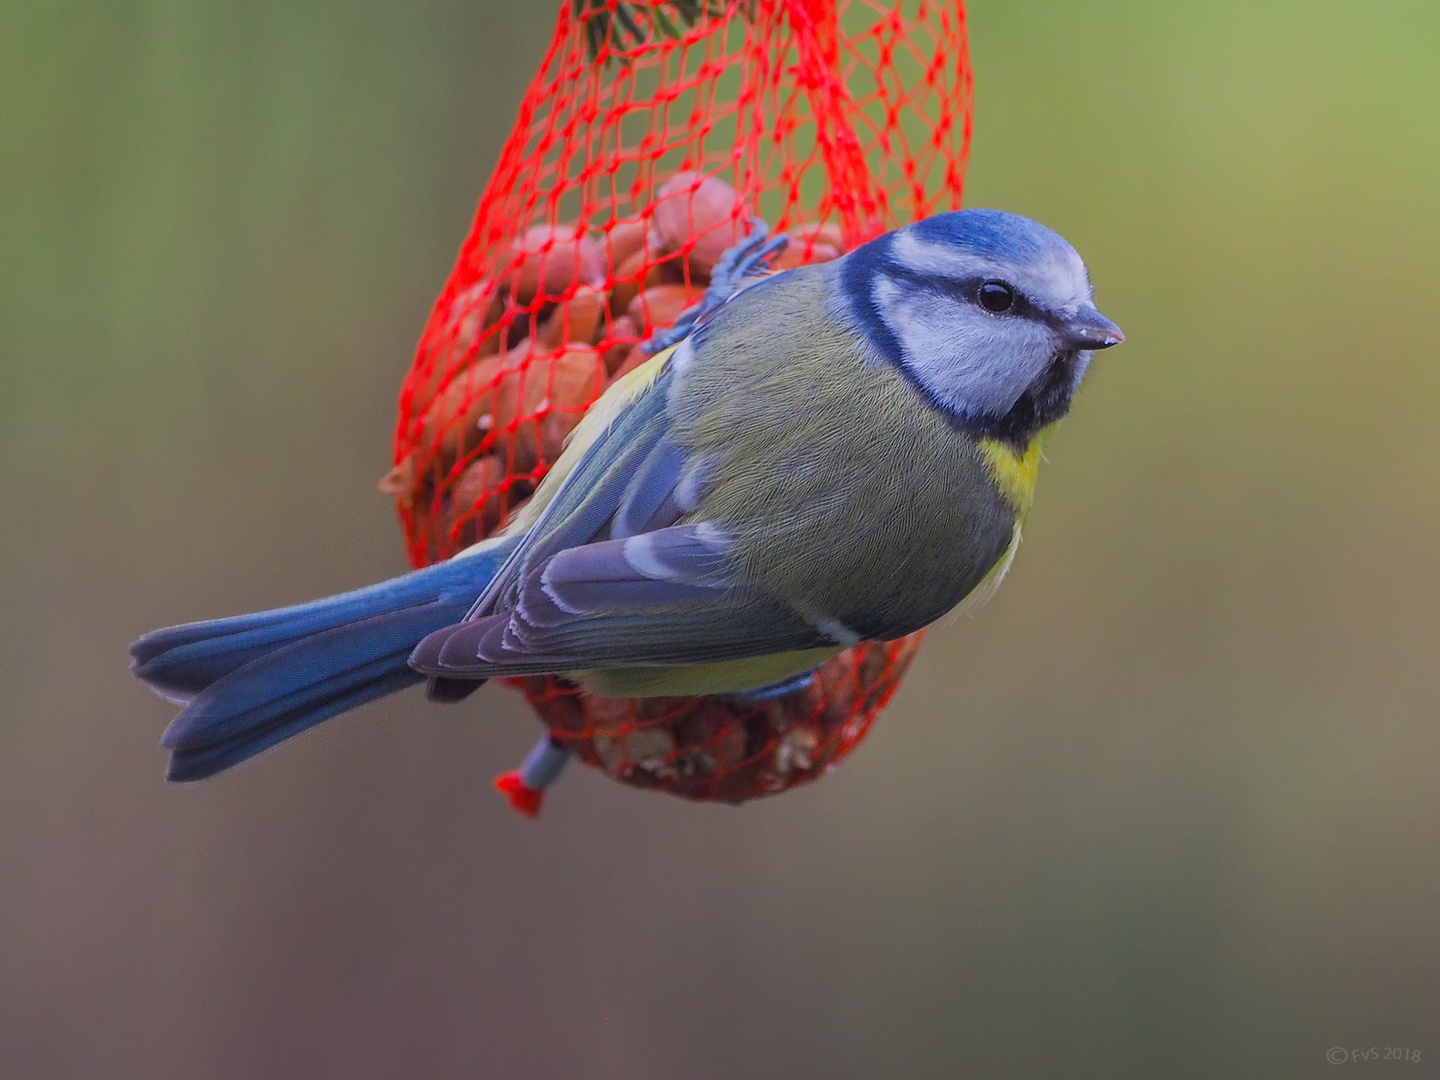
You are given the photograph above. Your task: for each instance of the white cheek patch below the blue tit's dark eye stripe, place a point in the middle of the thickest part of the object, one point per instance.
(970, 362)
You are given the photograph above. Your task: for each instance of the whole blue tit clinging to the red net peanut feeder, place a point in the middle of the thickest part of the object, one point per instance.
(843, 451)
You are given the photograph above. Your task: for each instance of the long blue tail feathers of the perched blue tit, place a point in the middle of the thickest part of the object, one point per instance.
(253, 682)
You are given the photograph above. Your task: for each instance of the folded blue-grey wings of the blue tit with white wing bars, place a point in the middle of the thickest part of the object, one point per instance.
(611, 572)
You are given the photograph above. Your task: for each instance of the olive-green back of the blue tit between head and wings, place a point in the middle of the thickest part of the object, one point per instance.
(849, 495)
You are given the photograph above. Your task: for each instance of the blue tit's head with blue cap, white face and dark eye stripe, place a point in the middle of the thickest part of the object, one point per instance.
(989, 315)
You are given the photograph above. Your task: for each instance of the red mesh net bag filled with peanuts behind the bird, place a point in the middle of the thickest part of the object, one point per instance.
(650, 138)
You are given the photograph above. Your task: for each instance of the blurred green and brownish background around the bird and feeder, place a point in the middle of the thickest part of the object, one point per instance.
(1166, 809)
